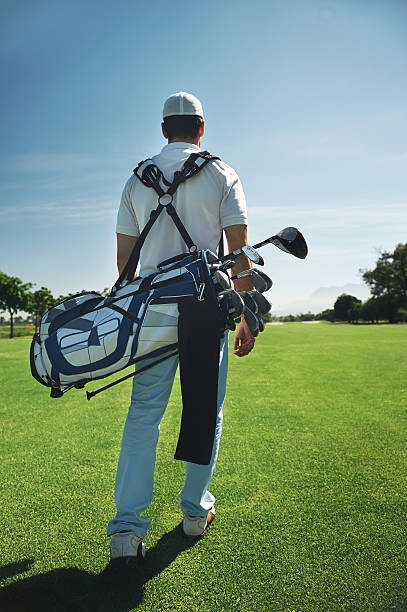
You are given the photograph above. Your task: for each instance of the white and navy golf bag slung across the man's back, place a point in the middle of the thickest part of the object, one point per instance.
(87, 337)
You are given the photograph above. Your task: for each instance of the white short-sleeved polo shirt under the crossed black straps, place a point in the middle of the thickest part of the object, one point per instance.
(206, 203)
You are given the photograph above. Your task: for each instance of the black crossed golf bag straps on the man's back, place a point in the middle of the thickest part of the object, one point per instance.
(150, 175)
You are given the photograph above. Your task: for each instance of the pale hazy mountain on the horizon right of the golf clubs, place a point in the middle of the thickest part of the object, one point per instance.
(322, 298)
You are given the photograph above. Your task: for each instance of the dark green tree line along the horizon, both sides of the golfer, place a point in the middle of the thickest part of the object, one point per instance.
(387, 282)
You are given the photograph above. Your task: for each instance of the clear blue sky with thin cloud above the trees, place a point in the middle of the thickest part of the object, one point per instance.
(305, 99)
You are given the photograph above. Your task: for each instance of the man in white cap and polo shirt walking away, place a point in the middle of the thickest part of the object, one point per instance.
(207, 204)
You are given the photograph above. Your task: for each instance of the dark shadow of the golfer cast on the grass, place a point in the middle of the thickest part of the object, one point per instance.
(74, 590)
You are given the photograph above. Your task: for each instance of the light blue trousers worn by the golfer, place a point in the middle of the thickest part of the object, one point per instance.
(135, 471)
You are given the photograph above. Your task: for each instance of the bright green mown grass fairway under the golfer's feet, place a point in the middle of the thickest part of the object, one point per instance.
(310, 485)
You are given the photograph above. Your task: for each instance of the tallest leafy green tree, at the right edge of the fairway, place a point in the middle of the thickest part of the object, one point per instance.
(388, 282)
